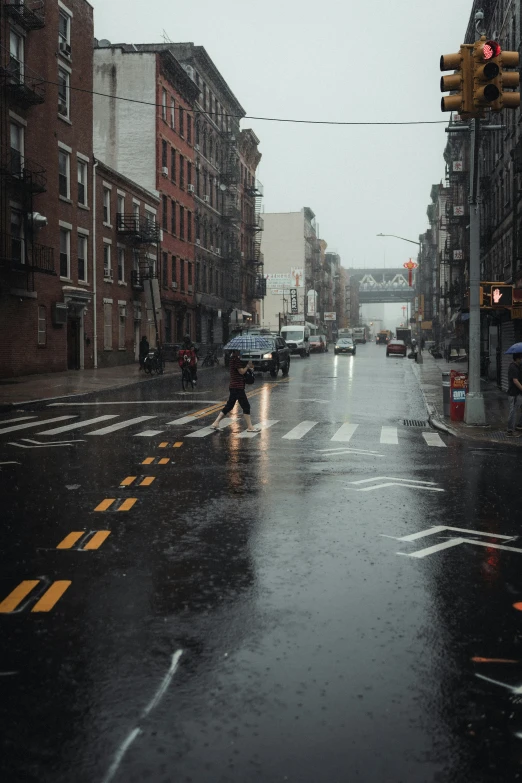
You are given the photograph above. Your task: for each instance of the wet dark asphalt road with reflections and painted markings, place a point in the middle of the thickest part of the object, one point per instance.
(252, 616)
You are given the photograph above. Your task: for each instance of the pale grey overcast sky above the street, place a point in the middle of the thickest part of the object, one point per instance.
(331, 60)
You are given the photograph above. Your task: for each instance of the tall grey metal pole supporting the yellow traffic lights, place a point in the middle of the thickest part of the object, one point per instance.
(475, 412)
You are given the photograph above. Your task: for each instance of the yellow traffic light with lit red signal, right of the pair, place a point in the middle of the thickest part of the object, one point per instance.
(490, 80)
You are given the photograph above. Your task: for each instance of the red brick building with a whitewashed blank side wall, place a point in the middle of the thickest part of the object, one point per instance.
(153, 144)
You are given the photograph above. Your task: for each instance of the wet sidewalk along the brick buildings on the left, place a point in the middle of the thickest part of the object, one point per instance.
(36, 388)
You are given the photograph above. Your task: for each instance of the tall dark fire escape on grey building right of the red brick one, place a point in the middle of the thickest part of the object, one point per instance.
(230, 176)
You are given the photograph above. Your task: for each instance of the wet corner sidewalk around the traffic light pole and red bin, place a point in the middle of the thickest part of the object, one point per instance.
(429, 374)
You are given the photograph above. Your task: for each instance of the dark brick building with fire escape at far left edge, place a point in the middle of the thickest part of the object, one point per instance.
(45, 169)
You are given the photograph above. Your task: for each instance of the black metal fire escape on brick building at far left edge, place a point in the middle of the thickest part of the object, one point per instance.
(20, 178)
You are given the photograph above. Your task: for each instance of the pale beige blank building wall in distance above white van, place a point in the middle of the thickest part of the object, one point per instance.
(283, 246)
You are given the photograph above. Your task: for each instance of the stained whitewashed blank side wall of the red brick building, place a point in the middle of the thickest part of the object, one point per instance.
(125, 133)
